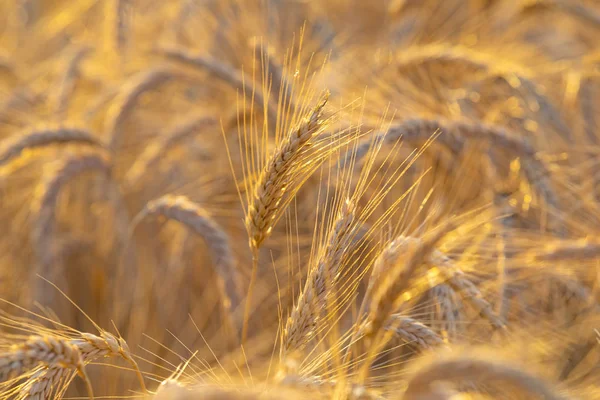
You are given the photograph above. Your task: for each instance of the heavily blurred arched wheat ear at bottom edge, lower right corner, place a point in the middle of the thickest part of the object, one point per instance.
(462, 366)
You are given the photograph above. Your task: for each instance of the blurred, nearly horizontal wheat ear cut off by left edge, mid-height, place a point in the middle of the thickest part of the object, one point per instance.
(14, 145)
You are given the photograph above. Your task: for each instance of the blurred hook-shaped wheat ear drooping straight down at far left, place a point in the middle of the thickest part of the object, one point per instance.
(44, 203)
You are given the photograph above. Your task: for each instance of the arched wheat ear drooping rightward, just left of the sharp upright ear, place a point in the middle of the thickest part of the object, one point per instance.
(197, 219)
